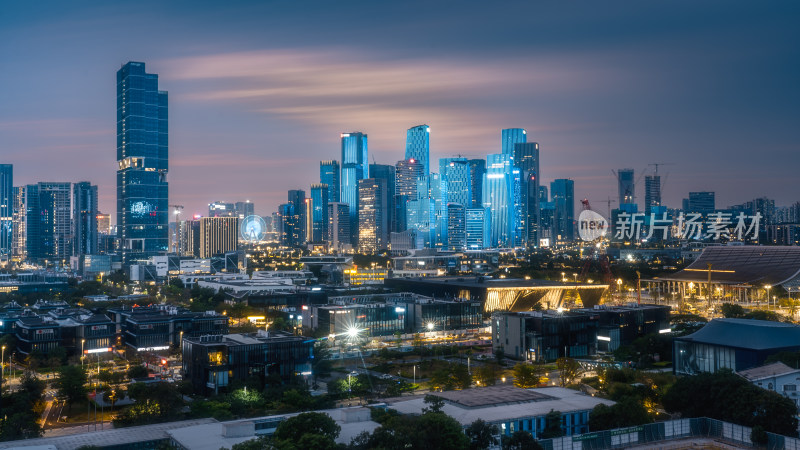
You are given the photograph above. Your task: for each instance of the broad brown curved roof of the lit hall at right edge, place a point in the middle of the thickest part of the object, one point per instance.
(744, 265)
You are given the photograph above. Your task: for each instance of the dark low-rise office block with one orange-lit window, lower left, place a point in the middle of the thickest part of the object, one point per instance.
(211, 363)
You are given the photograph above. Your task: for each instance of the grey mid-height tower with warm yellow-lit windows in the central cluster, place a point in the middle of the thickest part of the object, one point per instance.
(373, 223)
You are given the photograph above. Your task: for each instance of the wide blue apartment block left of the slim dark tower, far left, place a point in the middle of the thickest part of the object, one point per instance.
(49, 221)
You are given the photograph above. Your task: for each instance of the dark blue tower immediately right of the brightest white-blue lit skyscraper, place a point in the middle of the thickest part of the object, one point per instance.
(526, 158)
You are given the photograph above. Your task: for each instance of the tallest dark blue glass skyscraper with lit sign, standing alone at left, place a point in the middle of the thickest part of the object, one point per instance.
(142, 157)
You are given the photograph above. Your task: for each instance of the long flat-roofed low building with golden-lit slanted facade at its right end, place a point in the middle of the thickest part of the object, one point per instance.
(500, 294)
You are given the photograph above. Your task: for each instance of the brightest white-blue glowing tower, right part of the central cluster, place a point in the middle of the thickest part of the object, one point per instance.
(498, 196)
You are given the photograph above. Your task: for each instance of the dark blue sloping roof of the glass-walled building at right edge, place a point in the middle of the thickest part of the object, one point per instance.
(747, 333)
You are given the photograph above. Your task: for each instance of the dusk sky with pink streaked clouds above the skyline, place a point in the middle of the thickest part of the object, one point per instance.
(259, 91)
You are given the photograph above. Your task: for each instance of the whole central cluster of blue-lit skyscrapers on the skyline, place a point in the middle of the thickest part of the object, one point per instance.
(467, 204)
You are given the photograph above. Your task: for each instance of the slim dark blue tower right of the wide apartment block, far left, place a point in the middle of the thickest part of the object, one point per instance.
(84, 219)
